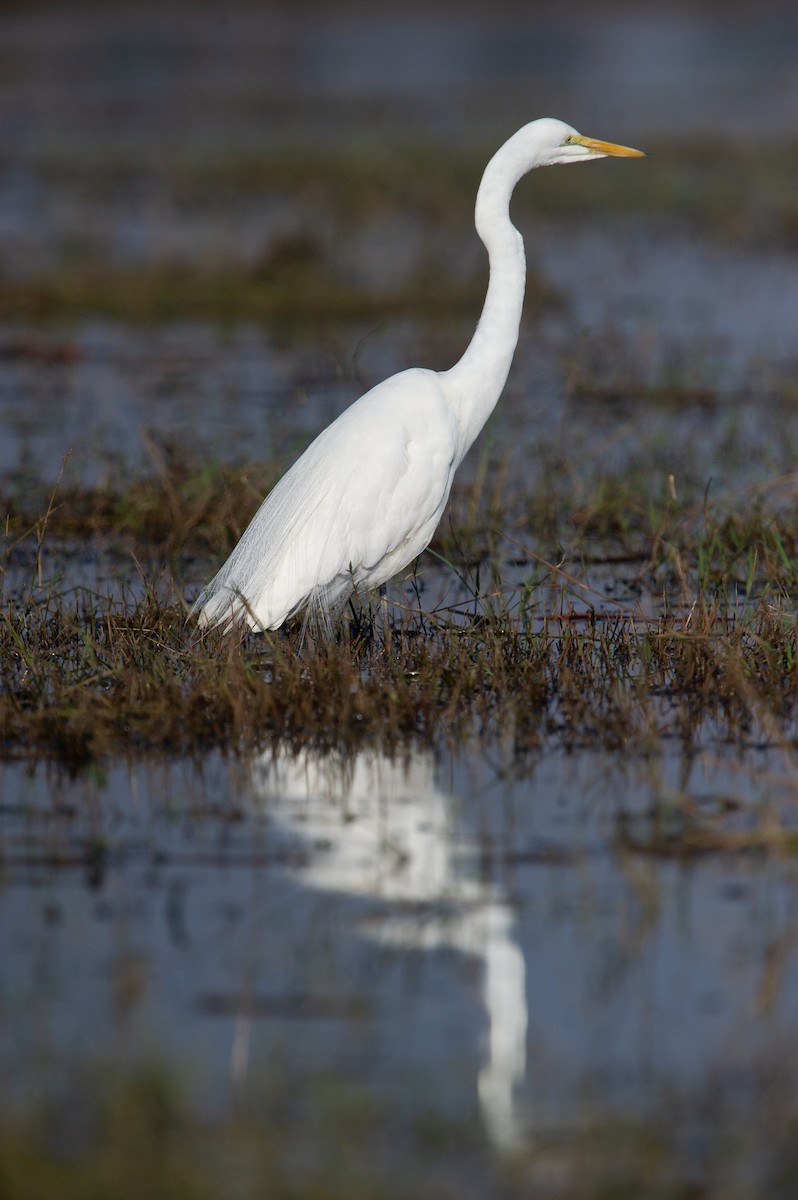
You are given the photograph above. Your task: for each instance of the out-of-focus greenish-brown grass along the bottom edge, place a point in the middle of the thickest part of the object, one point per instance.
(134, 1133)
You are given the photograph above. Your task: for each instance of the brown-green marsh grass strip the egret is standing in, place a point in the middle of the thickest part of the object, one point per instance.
(524, 649)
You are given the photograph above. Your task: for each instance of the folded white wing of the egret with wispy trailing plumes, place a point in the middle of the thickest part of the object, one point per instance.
(361, 503)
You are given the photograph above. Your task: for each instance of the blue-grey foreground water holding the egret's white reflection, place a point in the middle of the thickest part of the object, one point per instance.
(401, 923)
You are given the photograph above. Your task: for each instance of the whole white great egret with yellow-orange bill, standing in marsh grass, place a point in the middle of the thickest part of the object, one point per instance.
(367, 496)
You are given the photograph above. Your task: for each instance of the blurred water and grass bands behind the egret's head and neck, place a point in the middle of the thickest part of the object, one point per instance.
(271, 170)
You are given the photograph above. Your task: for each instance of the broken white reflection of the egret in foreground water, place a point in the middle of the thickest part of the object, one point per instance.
(380, 827)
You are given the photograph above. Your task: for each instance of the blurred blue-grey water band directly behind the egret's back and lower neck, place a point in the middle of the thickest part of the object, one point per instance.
(641, 314)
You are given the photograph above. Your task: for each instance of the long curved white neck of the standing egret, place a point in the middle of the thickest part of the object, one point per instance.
(476, 383)
